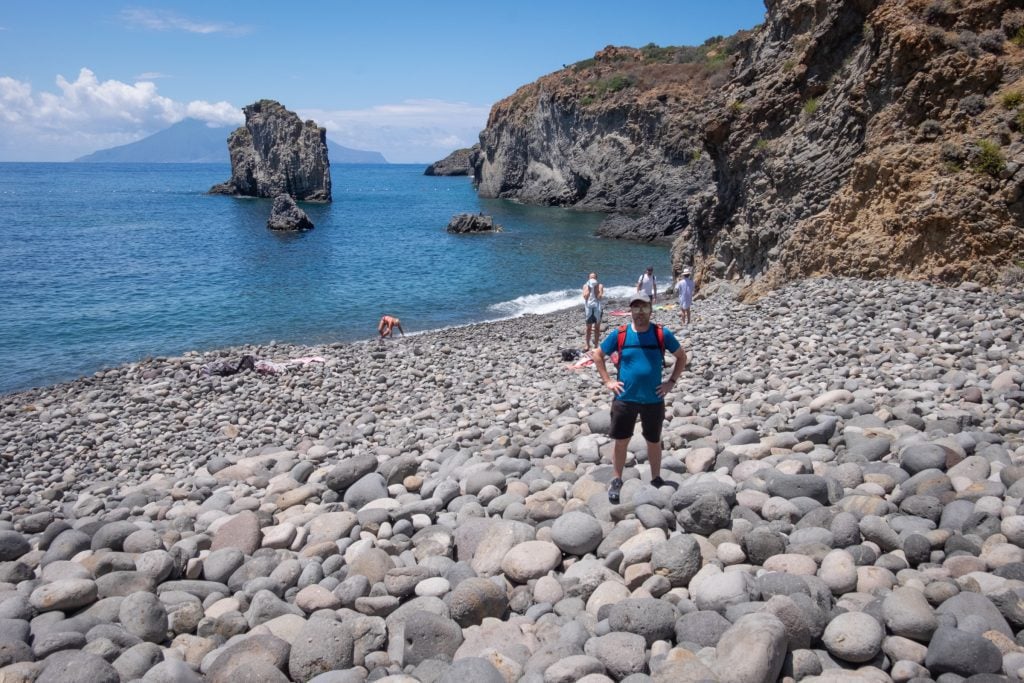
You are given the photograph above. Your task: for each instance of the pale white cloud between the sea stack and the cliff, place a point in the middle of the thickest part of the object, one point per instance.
(413, 132)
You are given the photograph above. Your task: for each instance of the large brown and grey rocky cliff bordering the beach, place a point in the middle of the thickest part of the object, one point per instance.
(864, 138)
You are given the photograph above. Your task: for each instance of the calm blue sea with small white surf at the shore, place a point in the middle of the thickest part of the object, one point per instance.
(108, 264)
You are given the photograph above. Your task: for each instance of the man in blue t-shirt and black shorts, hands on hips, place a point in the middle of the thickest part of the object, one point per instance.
(639, 390)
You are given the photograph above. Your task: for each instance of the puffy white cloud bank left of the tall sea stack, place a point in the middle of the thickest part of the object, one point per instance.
(88, 115)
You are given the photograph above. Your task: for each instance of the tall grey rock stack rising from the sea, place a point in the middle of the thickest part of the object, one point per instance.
(276, 153)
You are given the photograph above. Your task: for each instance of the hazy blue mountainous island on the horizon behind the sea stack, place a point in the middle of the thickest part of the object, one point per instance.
(193, 142)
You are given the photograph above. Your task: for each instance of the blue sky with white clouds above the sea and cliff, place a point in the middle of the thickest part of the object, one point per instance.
(413, 80)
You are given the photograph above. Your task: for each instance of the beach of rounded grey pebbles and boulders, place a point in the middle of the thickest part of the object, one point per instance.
(845, 467)
